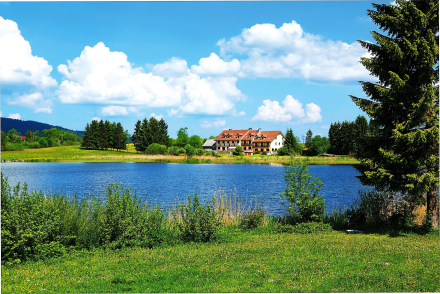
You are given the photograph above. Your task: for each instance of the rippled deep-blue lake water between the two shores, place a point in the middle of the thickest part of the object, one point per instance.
(167, 183)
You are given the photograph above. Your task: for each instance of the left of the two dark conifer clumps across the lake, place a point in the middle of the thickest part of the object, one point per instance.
(105, 135)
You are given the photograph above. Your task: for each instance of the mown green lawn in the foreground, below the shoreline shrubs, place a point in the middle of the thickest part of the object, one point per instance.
(243, 262)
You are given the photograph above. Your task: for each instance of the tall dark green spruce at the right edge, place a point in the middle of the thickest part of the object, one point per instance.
(403, 153)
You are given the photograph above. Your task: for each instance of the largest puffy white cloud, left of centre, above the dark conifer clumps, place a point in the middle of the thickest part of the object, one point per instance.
(99, 75)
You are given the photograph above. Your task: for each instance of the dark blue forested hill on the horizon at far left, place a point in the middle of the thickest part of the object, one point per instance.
(24, 125)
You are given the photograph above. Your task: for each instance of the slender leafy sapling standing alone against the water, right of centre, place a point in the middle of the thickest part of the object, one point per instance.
(302, 192)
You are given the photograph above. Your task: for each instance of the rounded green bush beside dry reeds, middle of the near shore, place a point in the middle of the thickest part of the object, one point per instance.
(199, 222)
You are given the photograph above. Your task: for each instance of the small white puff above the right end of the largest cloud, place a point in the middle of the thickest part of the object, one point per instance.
(213, 65)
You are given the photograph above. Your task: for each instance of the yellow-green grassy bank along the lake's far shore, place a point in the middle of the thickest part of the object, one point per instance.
(77, 154)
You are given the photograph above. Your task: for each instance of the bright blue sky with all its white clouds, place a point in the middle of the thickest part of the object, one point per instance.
(207, 66)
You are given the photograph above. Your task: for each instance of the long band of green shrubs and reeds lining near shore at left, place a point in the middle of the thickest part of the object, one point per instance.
(36, 225)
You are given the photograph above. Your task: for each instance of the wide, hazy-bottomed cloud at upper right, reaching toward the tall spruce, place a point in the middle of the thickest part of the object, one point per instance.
(288, 51)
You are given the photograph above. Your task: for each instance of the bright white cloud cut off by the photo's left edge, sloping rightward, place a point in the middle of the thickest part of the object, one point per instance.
(17, 64)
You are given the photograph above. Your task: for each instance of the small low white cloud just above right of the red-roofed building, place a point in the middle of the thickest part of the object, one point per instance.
(291, 110)
